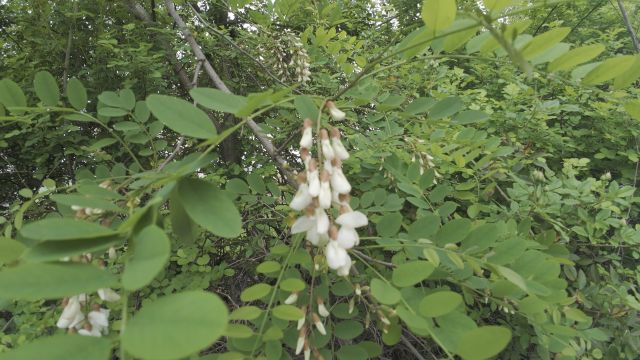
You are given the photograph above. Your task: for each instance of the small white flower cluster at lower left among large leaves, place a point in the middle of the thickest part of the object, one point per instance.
(95, 323)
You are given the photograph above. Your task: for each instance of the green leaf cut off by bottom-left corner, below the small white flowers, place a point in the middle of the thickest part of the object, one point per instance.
(62, 347)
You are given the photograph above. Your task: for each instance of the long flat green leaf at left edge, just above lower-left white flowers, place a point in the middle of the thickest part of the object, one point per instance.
(34, 281)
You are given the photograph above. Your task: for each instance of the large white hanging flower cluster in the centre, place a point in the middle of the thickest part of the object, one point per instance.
(319, 190)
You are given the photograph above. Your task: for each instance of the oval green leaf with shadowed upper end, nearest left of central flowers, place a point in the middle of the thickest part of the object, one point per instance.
(209, 207)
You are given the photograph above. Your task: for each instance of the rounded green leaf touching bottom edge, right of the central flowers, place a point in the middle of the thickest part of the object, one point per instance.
(483, 343)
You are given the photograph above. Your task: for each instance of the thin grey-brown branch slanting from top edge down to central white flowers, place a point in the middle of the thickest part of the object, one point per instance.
(217, 81)
